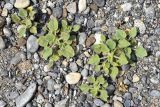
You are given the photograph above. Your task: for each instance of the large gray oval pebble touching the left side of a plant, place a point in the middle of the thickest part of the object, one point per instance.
(32, 45)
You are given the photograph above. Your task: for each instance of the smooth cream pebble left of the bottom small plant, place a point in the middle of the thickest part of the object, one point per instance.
(73, 78)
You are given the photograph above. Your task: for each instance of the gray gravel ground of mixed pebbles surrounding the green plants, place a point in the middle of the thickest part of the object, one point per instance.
(27, 81)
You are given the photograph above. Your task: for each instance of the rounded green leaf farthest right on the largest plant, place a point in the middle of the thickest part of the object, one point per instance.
(141, 52)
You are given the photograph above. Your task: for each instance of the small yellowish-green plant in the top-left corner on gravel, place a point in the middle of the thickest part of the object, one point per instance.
(25, 19)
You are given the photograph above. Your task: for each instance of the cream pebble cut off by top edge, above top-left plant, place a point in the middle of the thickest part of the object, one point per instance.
(22, 3)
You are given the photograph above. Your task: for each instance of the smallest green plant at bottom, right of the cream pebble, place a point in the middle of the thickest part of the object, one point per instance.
(97, 87)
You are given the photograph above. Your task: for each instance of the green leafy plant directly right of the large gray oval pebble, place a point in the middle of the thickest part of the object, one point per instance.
(58, 40)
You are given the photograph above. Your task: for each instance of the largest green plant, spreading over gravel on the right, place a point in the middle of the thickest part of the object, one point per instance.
(116, 51)
